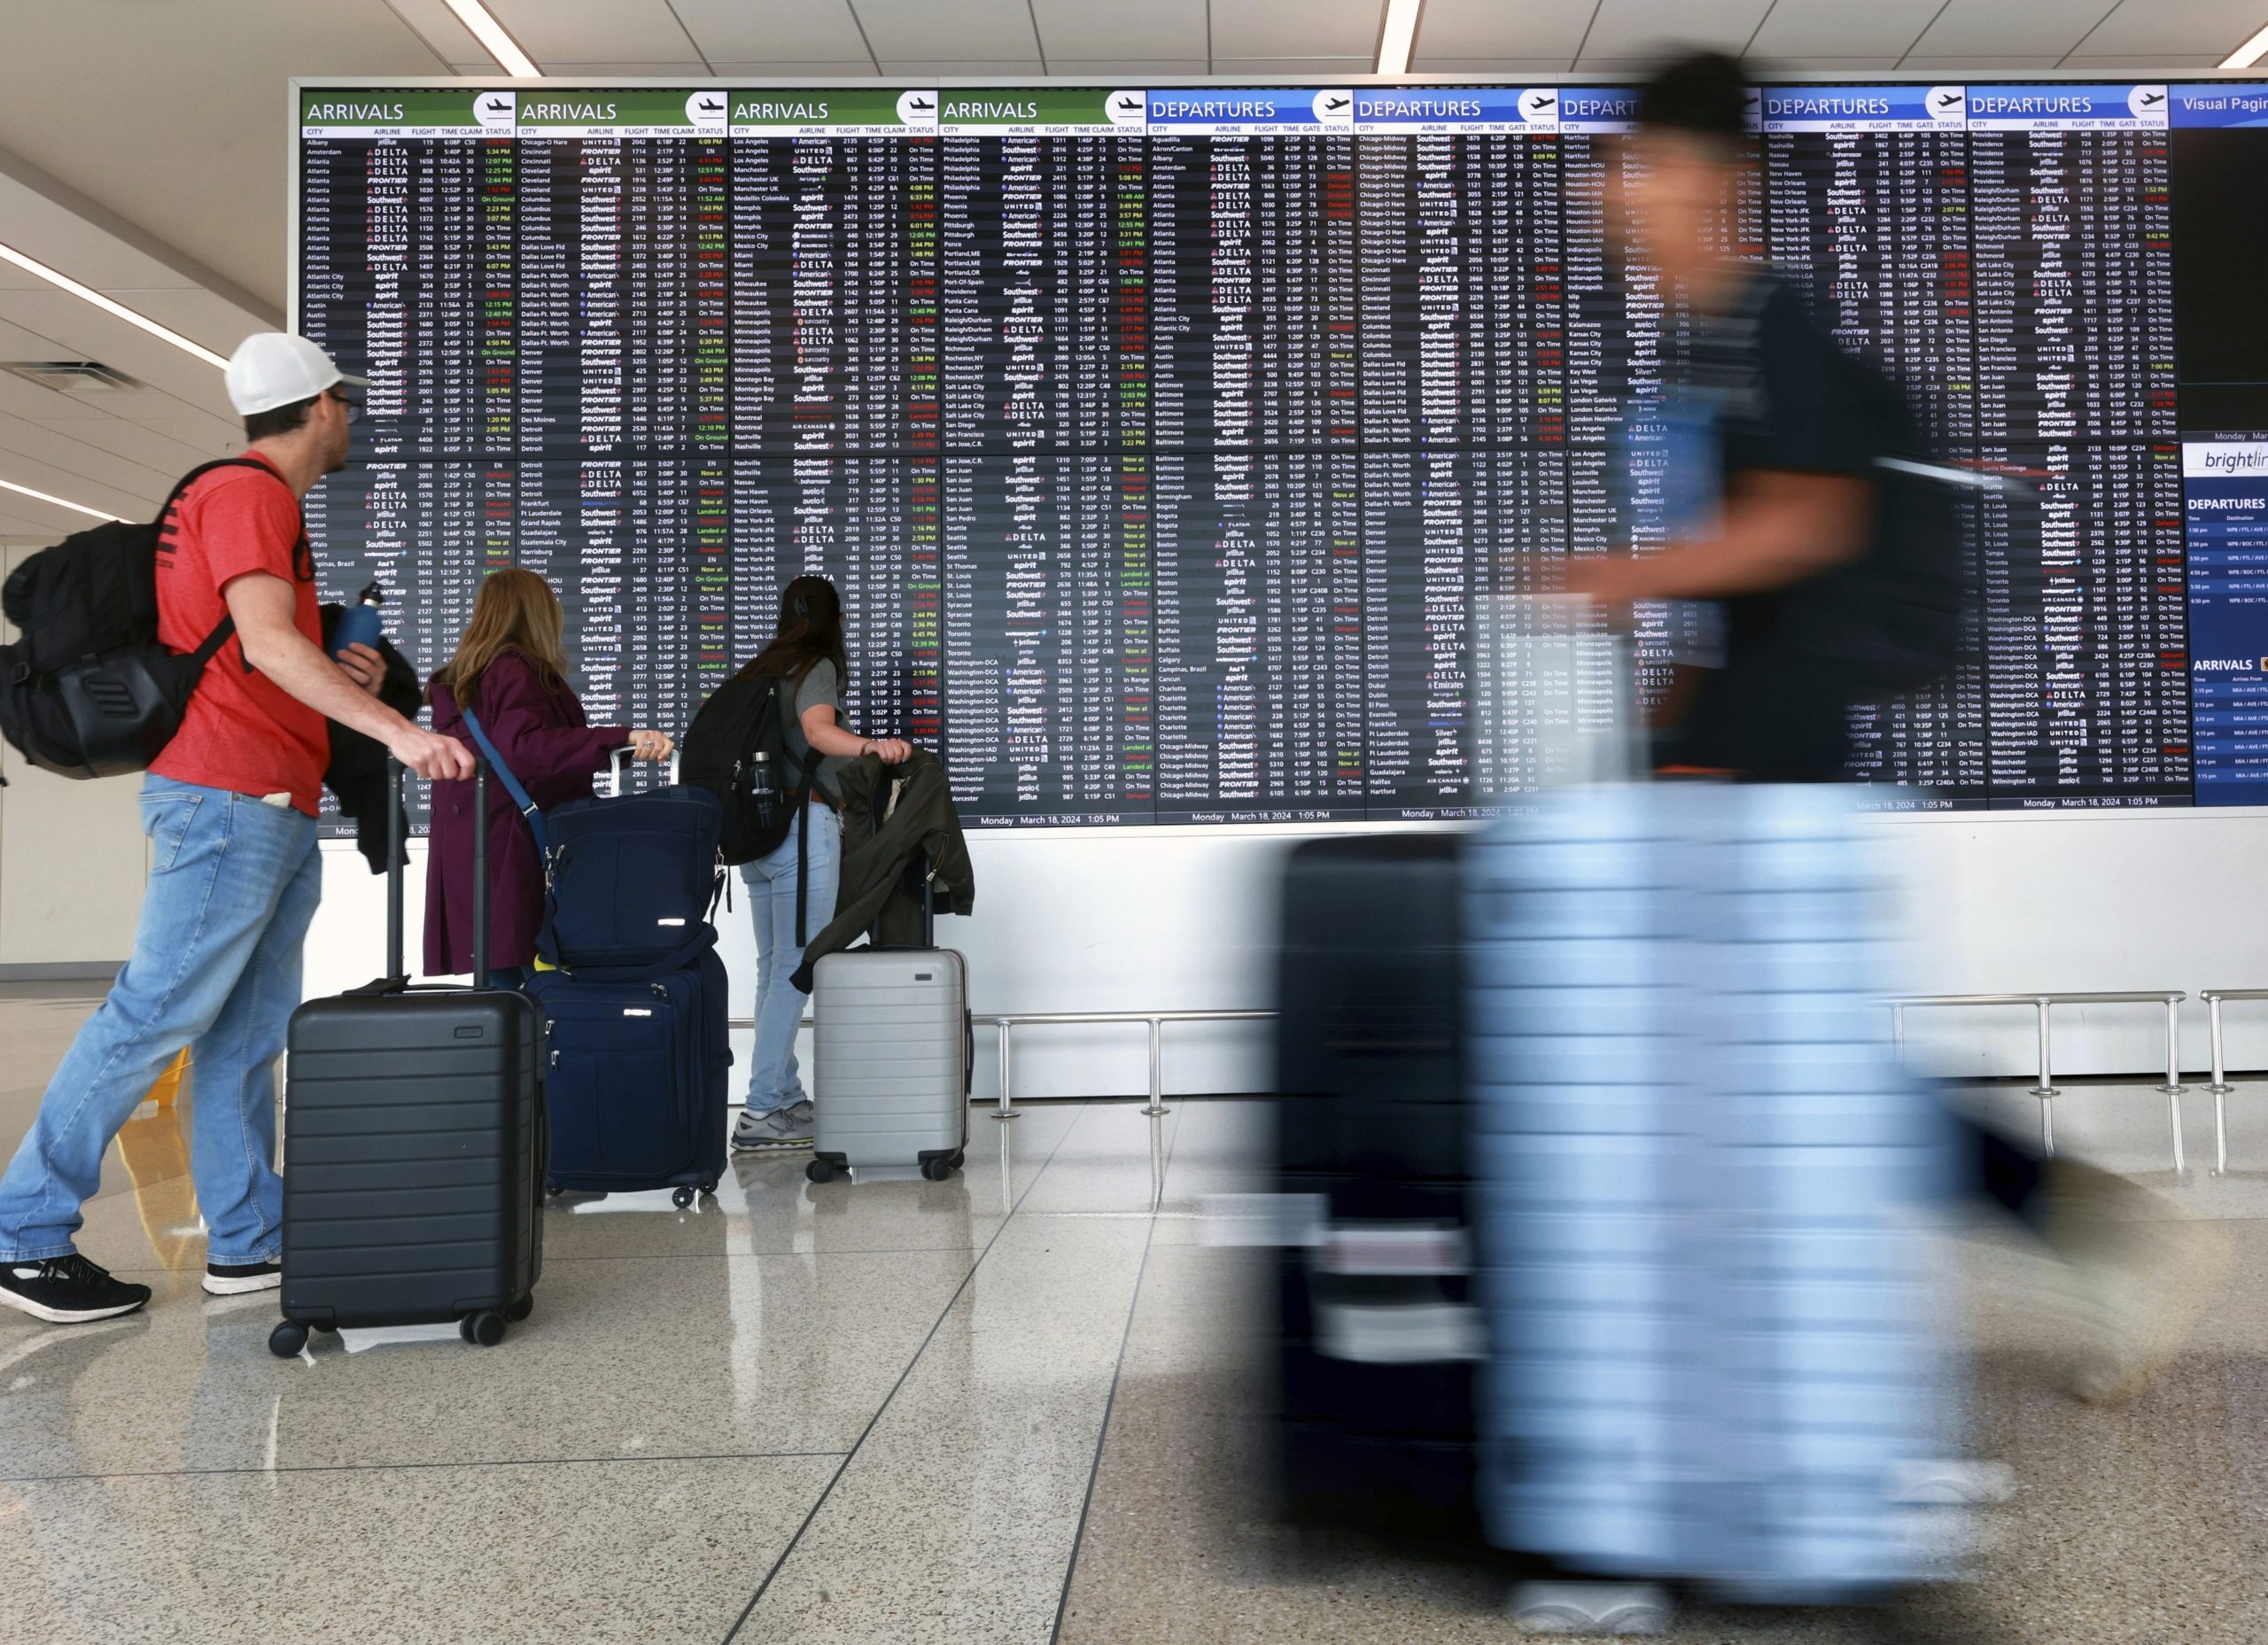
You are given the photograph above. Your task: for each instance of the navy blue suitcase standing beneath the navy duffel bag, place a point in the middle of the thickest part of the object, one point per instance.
(638, 1079)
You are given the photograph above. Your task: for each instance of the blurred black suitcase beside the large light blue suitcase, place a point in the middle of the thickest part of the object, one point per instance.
(1378, 1324)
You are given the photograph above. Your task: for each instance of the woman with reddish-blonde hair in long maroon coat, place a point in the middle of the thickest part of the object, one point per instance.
(511, 670)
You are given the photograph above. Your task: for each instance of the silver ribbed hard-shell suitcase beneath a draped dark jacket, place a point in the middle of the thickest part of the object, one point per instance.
(890, 1061)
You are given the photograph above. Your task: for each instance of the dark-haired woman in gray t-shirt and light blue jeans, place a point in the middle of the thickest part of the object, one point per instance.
(809, 650)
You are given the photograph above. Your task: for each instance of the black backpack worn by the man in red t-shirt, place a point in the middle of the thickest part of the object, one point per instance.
(90, 691)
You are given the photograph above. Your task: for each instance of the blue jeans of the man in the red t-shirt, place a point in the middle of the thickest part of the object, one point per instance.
(217, 968)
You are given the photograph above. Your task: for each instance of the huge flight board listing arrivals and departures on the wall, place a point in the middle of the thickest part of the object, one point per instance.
(1167, 446)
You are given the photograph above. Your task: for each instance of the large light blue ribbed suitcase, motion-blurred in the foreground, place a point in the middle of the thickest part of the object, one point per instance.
(1695, 1174)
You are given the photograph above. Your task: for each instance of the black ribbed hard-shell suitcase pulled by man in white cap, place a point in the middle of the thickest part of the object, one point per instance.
(414, 1147)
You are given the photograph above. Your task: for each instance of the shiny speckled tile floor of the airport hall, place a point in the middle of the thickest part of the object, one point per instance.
(1019, 1406)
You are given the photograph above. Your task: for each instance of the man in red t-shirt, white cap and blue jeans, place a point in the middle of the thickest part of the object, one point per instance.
(235, 872)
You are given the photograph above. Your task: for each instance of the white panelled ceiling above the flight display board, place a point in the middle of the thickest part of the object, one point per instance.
(174, 201)
